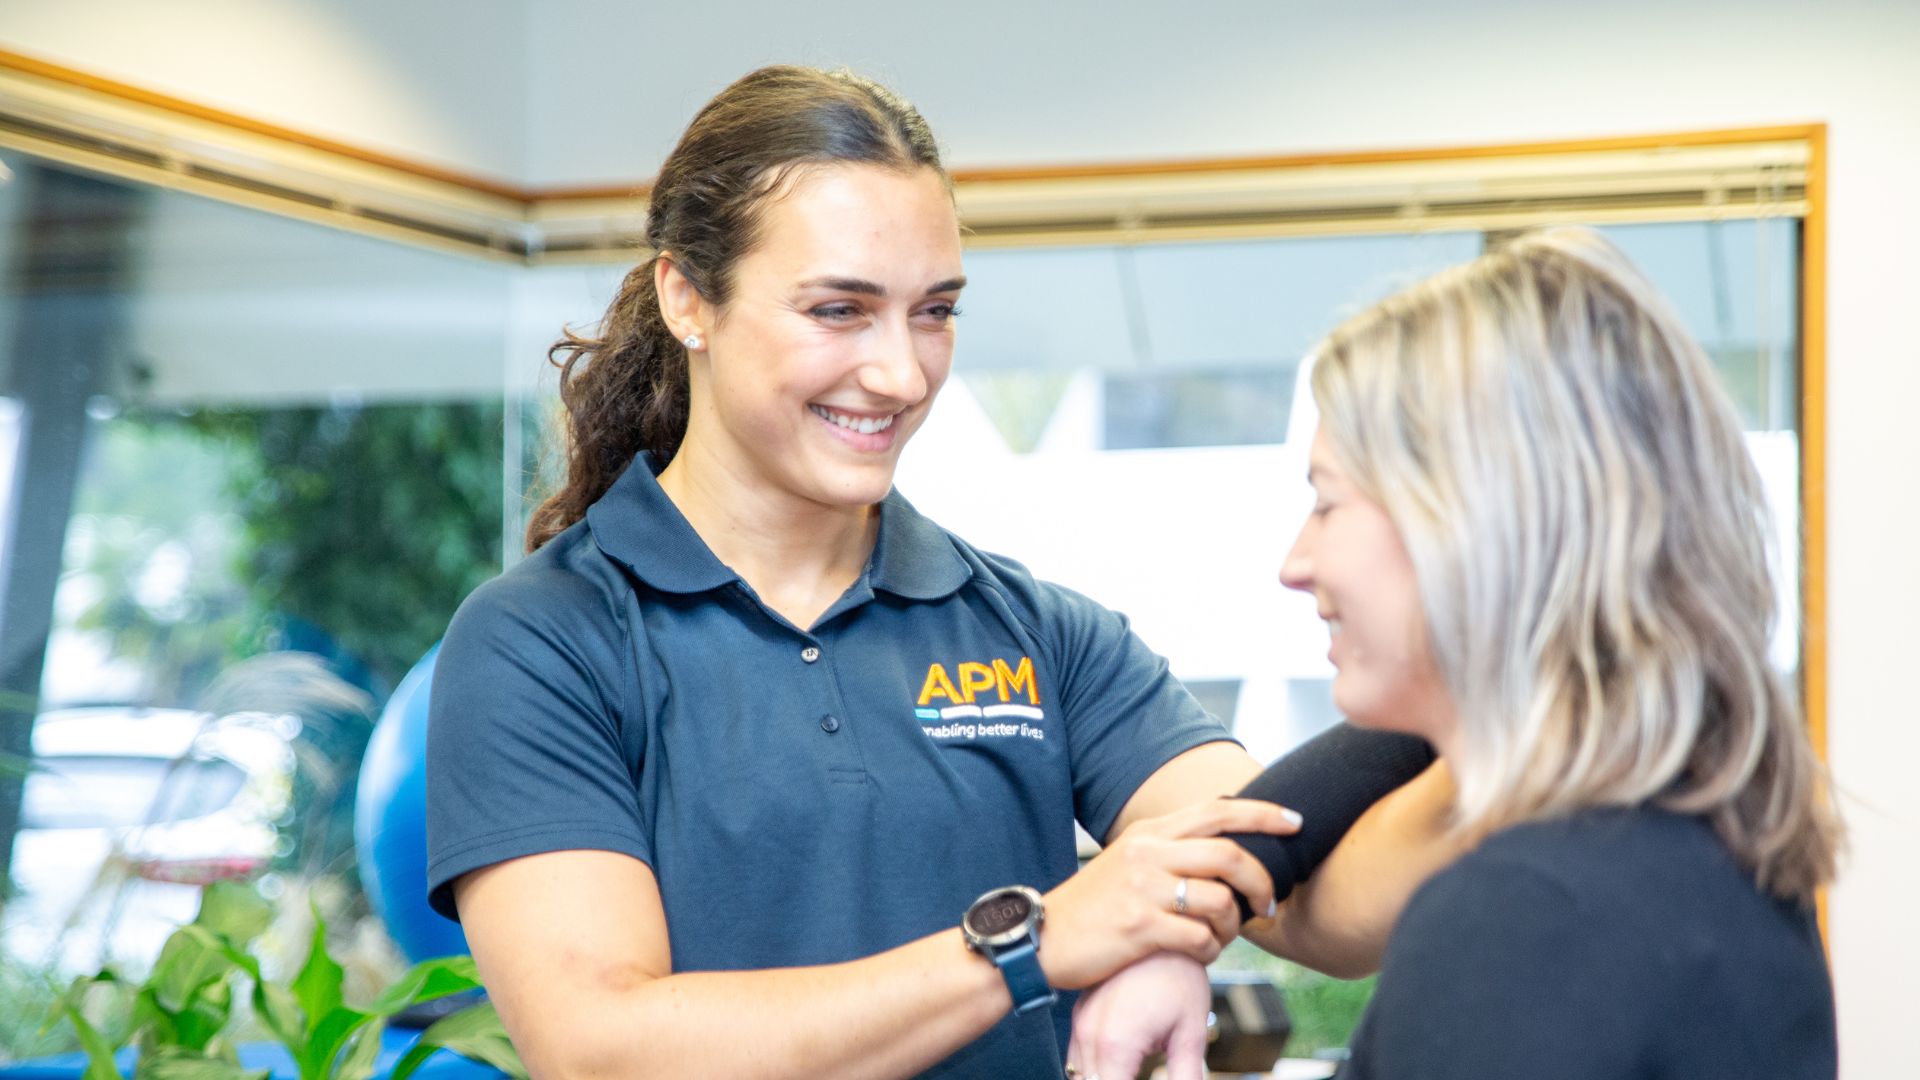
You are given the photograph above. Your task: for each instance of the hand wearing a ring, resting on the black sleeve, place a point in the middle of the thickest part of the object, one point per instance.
(1128, 902)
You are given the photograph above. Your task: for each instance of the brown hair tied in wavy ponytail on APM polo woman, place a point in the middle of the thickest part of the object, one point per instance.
(627, 389)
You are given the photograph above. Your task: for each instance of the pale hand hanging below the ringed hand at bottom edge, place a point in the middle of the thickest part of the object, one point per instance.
(1155, 1006)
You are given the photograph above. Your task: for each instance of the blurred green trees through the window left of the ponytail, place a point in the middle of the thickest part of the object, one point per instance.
(352, 531)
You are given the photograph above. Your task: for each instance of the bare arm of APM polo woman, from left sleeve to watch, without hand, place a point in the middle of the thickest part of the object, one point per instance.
(575, 952)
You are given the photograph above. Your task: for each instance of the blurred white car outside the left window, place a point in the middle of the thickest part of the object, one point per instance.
(126, 814)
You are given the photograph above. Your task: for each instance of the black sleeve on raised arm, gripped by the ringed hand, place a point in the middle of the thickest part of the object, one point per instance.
(1332, 779)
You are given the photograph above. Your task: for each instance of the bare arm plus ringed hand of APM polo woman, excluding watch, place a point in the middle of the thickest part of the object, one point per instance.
(575, 952)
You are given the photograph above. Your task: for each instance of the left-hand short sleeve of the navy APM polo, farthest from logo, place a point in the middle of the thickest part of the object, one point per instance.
(525, 747)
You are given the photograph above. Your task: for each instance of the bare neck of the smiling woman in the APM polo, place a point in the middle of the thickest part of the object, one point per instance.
(800, 556)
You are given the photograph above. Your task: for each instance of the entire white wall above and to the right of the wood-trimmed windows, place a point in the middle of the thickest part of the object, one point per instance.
(1013, 82)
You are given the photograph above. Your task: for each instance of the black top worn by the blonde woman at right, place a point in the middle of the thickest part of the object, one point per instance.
(1614, 945)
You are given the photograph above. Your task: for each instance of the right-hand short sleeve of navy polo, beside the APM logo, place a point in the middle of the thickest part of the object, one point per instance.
(1126, 712)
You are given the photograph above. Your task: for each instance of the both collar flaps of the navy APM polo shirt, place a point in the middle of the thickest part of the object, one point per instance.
(638, 526)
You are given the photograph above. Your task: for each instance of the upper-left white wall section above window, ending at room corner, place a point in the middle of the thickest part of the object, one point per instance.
(439, 82)
